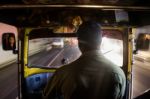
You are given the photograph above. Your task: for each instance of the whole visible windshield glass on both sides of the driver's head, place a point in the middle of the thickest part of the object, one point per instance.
(58, 51)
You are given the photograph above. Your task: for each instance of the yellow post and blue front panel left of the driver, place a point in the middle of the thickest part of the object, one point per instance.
(33, 79)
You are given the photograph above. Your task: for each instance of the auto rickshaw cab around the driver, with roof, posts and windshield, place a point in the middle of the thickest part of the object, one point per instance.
(38, 22)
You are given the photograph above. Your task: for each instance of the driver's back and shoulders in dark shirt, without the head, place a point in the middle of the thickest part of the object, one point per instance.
(90, 77)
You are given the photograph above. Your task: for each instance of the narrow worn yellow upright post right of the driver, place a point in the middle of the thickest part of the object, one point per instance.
(128, 62)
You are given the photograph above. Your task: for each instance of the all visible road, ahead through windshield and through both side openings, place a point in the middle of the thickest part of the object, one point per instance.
(8, 78)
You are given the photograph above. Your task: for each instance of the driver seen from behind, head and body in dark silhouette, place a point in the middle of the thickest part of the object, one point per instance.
(91, 76)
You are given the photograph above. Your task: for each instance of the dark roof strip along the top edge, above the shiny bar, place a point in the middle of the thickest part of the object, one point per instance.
(101, 2)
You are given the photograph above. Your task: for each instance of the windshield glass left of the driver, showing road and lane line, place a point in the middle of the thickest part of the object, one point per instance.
(53, 52)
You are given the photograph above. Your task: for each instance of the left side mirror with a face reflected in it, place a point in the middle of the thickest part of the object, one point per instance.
(8, 41)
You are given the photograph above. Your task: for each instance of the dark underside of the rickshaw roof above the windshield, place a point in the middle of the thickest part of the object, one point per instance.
(35, 13)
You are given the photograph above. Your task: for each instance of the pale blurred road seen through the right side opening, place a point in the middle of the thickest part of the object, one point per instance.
(141, 77)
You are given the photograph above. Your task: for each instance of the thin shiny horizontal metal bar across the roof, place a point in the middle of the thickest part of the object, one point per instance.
(103, 7)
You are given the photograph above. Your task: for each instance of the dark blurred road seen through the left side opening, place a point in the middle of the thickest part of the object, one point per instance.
(8, 82)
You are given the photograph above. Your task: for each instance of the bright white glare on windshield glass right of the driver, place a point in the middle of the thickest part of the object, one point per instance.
(113, 50)
